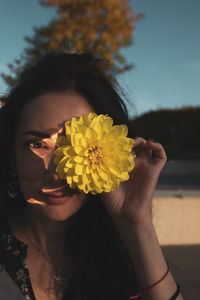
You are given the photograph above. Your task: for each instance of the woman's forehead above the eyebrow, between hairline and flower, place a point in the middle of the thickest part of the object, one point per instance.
(50, 111)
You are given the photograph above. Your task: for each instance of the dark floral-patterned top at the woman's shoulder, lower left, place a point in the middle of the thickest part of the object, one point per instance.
(12, 258)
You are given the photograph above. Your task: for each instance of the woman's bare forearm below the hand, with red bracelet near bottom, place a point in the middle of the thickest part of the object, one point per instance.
(147, 258)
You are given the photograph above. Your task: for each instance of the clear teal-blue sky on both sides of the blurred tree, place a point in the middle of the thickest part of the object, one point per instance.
(166, 50)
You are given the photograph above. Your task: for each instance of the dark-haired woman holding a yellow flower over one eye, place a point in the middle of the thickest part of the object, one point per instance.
(57, 242)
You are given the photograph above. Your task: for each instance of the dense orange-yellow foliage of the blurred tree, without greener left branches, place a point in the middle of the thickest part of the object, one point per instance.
(102, 26)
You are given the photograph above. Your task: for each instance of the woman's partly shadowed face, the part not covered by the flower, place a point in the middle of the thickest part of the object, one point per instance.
(42, 120)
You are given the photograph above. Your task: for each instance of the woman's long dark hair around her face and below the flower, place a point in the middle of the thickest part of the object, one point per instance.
(102, 266)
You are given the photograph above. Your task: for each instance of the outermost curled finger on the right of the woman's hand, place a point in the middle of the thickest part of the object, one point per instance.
(160, 156)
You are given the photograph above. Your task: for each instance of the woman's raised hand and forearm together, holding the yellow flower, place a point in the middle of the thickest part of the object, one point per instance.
(130, 209)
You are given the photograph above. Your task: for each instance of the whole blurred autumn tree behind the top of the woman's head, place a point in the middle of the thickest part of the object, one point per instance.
(102, 26)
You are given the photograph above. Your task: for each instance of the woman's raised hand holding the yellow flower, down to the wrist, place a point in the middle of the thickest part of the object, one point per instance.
(131, 202)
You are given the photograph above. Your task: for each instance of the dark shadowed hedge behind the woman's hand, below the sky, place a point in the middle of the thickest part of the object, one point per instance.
(178, 130)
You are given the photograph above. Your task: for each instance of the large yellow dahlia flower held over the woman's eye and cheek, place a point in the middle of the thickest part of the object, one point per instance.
(94, 156)
